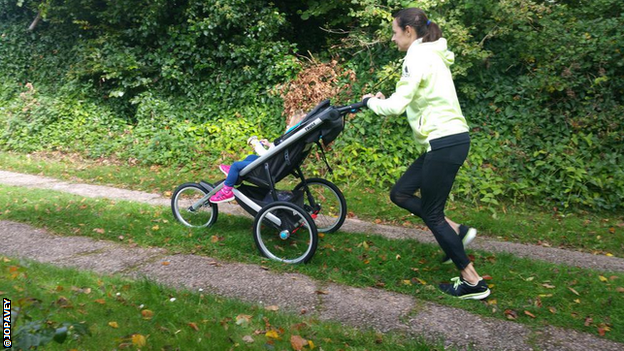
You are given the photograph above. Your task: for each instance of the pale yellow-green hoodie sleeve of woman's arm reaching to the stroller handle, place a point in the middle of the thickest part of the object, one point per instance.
(404, 94)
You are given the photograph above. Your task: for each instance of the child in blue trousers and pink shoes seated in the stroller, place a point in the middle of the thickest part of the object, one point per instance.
(260, 146)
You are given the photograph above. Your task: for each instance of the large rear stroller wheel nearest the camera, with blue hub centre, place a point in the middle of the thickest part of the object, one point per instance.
(285, 232)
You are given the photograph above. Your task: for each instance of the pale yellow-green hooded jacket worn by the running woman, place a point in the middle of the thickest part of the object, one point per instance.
(426, 92)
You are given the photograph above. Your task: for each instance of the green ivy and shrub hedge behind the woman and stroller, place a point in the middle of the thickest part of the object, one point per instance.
(185, 82)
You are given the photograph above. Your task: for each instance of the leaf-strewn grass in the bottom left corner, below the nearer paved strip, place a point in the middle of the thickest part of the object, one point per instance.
(108, 312)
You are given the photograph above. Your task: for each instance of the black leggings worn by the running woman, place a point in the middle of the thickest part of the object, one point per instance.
(434, 173)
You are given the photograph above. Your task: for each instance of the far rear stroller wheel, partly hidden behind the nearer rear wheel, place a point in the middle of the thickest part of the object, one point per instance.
(325, 203)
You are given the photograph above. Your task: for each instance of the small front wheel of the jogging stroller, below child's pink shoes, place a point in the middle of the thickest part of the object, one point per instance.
(185, 197)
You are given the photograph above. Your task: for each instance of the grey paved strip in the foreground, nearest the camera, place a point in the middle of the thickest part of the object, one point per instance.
(378, 309)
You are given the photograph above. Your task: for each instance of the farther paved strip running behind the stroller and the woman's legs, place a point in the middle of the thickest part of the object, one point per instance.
(534, 252)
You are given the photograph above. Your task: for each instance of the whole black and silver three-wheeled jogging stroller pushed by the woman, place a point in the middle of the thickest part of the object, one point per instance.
(287, 222)
